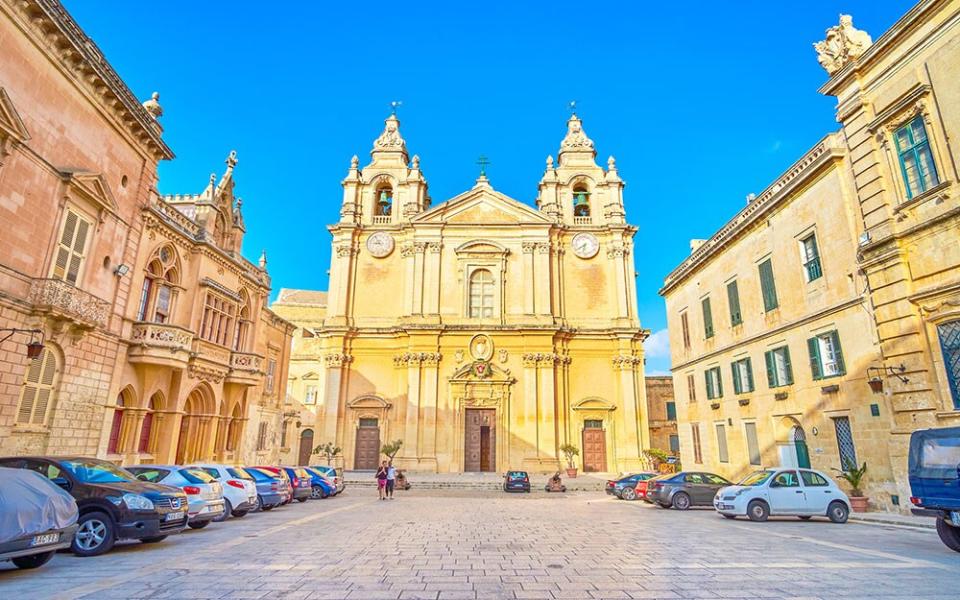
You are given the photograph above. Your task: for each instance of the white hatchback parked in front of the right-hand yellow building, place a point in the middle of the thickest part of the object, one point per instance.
(801, 493)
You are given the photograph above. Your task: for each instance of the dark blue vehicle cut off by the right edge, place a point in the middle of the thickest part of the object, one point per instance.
(934, 473)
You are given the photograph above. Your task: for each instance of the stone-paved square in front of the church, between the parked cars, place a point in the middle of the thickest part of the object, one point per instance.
(449, 545)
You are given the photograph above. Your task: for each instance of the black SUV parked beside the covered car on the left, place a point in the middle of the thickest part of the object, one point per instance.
(114, 505)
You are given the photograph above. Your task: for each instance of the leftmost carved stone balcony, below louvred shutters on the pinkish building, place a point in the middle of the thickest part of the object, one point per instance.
(65, 304)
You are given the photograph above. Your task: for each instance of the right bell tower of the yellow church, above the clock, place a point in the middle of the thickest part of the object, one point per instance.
(577, 191)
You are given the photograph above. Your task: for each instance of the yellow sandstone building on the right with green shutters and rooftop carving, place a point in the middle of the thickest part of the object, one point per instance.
(821, 325)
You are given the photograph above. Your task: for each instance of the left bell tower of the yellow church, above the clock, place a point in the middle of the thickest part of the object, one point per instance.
(391, 189)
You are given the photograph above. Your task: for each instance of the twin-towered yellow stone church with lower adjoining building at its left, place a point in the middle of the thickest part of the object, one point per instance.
(482, 332)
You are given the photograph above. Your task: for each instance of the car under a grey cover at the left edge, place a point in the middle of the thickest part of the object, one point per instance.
(37, 518)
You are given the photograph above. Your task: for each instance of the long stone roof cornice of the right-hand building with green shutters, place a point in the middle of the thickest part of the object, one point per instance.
(829, 147)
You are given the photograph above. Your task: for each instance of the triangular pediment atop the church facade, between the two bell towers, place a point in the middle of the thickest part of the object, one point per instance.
(481, 206)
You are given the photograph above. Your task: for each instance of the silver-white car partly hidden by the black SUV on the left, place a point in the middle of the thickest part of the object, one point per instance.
(204, 492)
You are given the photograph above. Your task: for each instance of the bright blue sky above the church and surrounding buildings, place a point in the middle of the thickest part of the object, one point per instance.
(701, 104)
